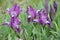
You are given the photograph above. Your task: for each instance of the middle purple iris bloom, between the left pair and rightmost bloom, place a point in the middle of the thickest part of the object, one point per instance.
(31, 13)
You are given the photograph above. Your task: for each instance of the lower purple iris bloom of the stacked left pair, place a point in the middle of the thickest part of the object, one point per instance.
(15, 24)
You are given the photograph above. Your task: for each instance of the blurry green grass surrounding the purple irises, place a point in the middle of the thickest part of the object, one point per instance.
(6, 33)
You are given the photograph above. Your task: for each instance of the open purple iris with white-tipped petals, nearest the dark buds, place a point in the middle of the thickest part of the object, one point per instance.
(43, 18)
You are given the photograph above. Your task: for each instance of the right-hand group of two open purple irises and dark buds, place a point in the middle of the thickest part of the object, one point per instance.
(41, 16)
